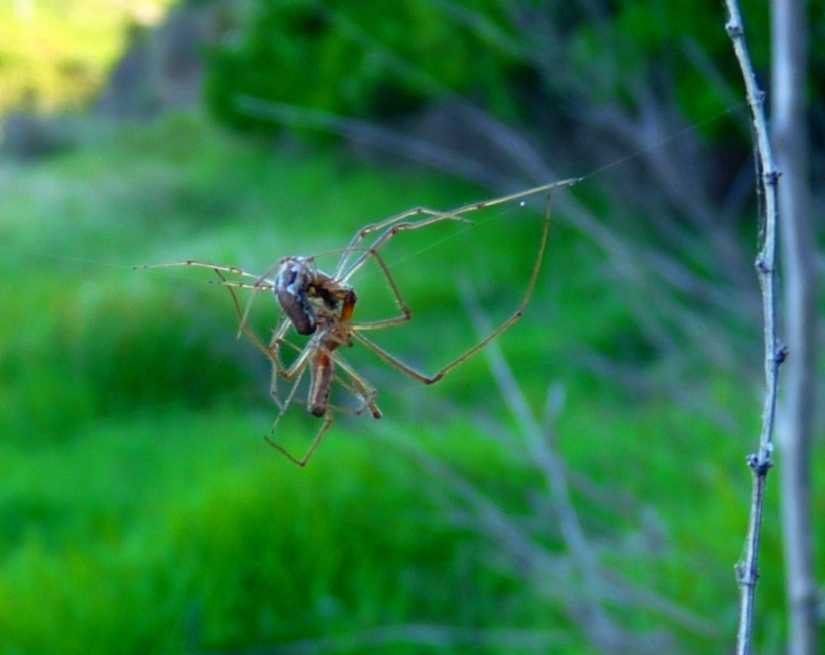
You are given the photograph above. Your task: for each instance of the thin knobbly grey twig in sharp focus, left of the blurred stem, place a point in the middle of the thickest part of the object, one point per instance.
(760, 462)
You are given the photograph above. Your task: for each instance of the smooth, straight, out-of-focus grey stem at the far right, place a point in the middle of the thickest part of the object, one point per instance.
(796, 416)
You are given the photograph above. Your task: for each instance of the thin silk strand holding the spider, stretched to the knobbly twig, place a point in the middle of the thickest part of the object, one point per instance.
(472, 224)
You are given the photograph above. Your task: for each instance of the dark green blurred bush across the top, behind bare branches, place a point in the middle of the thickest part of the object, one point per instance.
(385, 61)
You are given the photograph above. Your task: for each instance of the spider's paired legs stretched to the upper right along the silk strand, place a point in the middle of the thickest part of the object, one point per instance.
(436, 217)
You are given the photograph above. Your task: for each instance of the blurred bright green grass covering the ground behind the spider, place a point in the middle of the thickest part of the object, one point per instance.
(140, 510)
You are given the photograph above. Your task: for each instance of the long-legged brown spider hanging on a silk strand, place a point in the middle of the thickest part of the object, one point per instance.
(322, 306)
